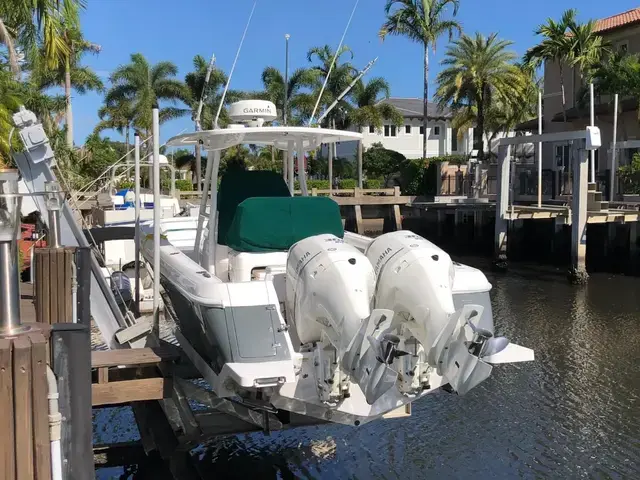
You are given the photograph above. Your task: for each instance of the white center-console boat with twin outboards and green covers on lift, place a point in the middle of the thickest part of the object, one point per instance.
(278, 305)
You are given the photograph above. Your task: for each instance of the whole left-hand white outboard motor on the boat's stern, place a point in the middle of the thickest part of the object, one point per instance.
(329, 287)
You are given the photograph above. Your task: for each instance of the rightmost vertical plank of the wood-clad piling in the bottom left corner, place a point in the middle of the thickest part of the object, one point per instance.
(41, 438)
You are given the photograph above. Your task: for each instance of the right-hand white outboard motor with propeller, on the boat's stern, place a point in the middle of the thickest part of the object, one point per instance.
(415, 280)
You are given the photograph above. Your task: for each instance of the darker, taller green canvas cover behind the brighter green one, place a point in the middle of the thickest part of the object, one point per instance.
(237, 185)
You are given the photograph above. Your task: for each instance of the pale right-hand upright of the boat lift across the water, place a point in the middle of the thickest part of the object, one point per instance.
(578, 272)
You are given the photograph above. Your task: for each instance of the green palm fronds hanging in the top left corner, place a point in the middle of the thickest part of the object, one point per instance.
(25, 21)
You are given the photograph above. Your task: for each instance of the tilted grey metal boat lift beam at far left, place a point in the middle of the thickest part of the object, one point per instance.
(35, 166)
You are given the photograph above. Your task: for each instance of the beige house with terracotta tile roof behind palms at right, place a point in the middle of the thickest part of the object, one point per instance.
(622, 31)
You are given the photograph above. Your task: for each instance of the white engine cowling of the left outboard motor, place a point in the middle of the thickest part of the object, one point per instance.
(329, 287)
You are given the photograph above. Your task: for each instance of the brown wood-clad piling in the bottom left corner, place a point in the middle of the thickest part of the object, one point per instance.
(24, 443)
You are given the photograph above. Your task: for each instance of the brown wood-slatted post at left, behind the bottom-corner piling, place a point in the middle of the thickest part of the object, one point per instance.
(53, 288)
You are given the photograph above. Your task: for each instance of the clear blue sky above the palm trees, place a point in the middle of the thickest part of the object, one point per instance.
(176, 30)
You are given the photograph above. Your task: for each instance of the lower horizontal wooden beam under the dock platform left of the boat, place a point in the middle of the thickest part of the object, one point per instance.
(116, 393)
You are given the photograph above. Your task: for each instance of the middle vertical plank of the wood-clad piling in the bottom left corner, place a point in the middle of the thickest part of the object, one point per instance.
(23, 410)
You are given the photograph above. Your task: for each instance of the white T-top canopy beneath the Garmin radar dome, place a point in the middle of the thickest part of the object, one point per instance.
(280, 137)
